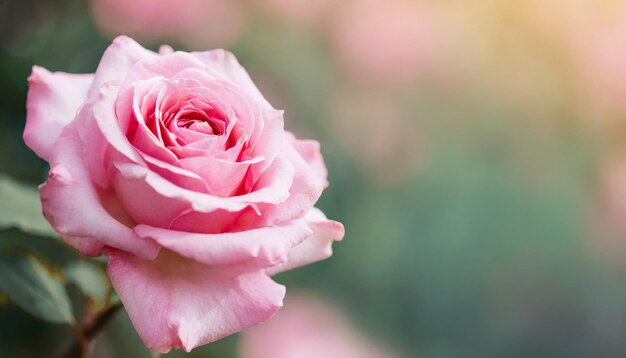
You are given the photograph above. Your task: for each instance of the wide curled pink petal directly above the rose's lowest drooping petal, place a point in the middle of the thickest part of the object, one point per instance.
(262, 247)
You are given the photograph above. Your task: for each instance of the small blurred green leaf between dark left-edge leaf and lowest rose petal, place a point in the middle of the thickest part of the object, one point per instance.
(89, 278)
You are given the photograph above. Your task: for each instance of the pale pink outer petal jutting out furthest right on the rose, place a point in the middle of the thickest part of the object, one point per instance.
(317, 247)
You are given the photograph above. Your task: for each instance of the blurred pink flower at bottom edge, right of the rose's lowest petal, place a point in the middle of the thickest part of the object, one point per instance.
(307, 327)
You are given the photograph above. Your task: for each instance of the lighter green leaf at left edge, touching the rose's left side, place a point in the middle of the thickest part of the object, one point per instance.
(20, 208)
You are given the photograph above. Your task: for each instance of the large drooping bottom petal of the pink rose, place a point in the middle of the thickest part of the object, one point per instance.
(175, 302)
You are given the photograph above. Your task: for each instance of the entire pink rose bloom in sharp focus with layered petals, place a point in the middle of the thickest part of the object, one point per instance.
(175, 167)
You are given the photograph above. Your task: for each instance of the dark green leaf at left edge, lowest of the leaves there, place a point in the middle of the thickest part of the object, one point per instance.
(29, 284)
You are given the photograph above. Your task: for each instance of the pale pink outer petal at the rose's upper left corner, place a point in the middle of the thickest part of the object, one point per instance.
(52, 102)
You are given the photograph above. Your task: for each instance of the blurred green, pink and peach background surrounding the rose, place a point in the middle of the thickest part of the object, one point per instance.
(476, 151)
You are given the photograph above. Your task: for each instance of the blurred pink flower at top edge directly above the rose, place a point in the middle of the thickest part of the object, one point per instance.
(197, 24)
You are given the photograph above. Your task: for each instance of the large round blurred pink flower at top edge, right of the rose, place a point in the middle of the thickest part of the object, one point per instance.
(391, 41)
